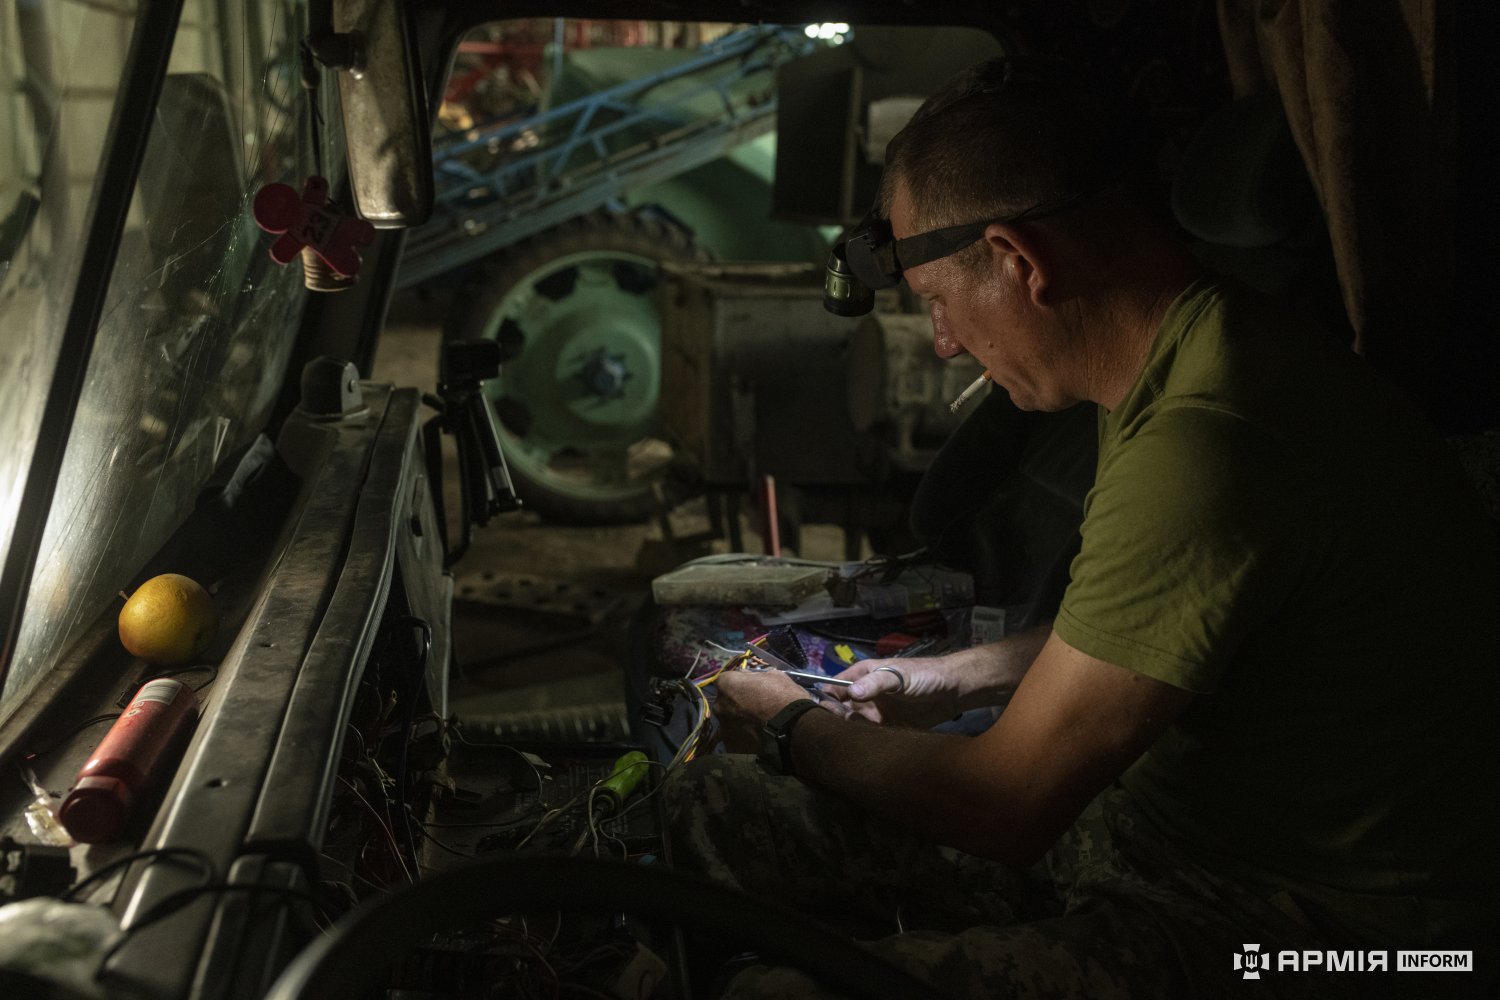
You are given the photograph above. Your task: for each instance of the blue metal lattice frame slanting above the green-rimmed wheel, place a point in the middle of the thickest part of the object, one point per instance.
(484, 209)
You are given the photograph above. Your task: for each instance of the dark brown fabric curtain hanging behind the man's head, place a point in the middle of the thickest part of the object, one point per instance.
(1370, 97)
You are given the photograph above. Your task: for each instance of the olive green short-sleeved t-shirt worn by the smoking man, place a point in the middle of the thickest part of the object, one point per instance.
(1276, 530)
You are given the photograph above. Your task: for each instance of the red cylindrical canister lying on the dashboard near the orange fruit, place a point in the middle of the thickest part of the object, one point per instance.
(133, 758)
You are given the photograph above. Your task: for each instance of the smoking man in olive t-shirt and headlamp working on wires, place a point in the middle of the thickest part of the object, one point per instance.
(1265, 719)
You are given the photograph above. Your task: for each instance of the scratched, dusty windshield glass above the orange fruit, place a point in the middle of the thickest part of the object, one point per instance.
(199, 323)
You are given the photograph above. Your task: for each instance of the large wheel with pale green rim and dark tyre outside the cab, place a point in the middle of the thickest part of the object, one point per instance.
(575, 311)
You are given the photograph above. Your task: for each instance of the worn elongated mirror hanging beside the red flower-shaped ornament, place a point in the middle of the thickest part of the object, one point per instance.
(385, 110)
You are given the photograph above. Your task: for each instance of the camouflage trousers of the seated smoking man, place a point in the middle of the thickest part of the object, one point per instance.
(1112, 914)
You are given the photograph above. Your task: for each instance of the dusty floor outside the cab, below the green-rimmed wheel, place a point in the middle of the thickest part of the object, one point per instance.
(542, 609)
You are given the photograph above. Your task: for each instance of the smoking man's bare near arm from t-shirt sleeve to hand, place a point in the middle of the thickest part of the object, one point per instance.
(1073, 726)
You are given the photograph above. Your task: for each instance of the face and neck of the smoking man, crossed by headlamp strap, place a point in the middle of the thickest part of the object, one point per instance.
(989, 314)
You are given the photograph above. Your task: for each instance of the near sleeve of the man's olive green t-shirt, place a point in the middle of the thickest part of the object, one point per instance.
(1190, 543)
